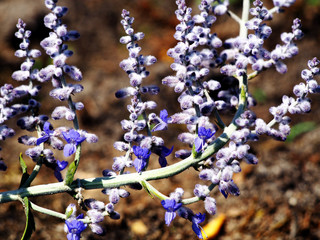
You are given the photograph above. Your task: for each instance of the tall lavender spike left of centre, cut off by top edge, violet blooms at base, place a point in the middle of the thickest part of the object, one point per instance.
(57, 49)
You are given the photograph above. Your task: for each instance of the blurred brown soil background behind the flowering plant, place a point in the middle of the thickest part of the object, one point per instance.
(280, 197)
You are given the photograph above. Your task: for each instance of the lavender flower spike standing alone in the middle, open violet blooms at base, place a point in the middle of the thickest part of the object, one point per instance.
(135, 67)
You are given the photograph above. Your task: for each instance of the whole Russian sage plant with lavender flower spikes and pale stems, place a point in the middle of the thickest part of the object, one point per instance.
(213, 146)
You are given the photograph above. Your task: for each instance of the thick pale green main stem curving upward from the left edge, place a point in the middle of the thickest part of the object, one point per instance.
(126, 179)
